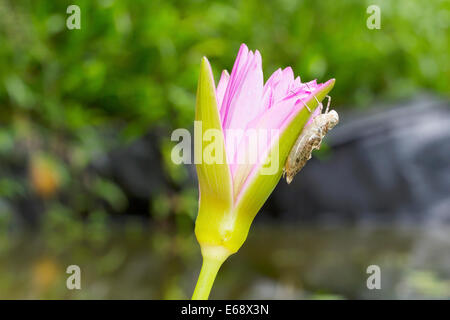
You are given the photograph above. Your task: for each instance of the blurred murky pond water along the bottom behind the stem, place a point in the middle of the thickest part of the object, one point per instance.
(275, 263)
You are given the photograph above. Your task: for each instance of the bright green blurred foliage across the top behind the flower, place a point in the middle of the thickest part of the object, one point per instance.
(133, 66)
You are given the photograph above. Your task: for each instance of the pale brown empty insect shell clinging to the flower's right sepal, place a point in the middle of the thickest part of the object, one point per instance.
(309, 139)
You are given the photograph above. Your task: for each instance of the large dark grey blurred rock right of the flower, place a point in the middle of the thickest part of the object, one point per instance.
(385, 166)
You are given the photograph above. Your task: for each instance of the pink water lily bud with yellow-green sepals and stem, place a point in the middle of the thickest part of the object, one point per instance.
(232, 191)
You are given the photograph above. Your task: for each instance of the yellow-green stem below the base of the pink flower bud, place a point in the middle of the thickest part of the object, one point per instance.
(212, 261)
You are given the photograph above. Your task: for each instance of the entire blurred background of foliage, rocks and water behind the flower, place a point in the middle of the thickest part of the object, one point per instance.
(85, 170)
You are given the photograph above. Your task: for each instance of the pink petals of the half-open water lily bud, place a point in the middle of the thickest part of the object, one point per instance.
(246, 103)
